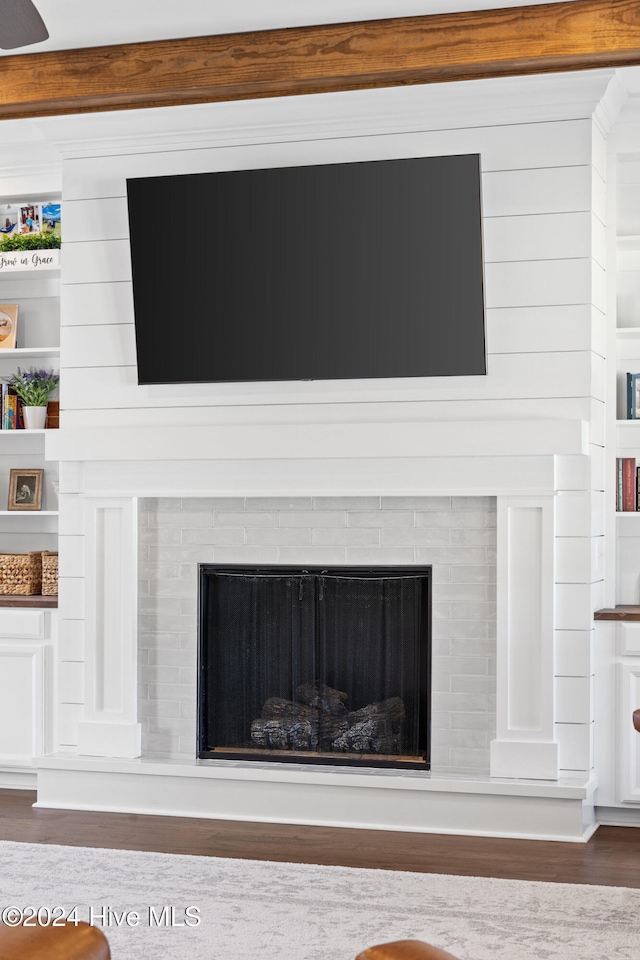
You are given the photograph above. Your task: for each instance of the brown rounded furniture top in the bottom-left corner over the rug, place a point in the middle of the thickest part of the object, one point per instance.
(66, 942)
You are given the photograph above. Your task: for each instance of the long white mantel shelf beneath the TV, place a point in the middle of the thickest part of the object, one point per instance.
(294, 441)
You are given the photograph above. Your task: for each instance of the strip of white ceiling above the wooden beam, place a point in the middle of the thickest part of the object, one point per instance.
(89, 23)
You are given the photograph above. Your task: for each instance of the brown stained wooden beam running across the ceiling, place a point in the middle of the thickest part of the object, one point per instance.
(578, 35)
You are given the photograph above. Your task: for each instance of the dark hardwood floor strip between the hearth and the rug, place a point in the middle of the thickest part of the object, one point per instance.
(611, 857)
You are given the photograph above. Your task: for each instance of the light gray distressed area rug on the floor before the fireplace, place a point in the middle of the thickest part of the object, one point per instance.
(280, 911)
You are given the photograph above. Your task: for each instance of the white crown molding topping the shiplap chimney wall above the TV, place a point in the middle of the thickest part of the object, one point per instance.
(447, 106)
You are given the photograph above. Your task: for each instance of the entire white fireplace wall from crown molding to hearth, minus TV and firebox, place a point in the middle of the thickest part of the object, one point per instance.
(497, 481)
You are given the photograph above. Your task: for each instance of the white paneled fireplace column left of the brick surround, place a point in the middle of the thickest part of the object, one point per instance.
(110, 727)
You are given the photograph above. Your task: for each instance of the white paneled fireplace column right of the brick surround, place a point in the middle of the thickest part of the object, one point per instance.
(524, 744)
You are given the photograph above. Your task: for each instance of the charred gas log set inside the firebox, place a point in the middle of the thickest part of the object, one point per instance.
(319, 720)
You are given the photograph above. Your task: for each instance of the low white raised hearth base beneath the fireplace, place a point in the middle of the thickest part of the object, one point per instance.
(331, 797)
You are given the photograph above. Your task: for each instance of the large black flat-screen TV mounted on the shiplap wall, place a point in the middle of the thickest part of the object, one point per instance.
(339, 271)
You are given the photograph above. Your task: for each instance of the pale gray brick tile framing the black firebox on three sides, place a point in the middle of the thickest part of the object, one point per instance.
(456, 535)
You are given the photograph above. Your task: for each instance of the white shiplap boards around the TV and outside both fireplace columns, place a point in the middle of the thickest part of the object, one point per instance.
(543, 202)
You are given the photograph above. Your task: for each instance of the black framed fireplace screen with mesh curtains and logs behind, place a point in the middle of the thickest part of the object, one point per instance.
(315, 665)
